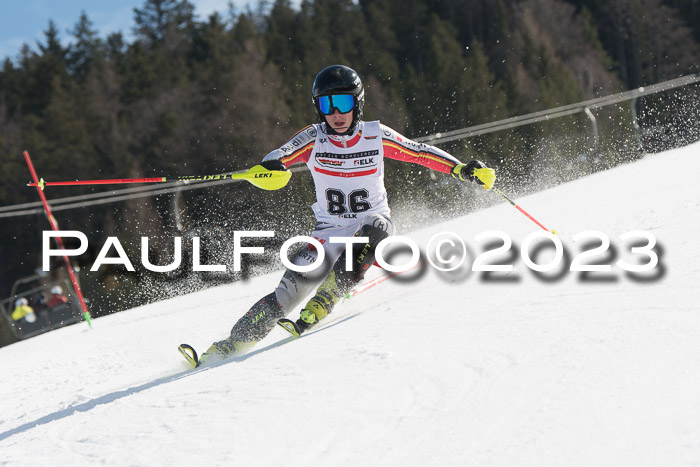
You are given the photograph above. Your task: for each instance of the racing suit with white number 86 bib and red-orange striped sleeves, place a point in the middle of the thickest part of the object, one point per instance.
(348, 174)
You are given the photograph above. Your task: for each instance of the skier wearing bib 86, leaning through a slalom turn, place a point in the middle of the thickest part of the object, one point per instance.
(346, 158)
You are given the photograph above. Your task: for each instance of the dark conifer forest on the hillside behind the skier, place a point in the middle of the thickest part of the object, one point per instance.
(192, 95)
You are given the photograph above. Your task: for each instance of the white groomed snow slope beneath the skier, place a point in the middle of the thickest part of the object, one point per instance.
(432, 369)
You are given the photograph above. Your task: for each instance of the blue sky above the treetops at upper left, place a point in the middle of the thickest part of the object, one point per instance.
(24, 21)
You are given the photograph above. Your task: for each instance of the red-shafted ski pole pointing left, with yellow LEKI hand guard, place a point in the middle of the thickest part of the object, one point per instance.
(257, 175)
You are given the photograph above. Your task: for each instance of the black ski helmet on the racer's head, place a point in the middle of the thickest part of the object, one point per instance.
(339, 79)
